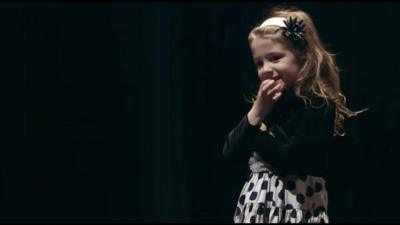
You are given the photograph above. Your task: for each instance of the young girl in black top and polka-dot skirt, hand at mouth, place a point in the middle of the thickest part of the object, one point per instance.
(299, 107)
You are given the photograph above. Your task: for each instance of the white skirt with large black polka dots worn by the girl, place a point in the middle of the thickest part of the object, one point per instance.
(268, 198)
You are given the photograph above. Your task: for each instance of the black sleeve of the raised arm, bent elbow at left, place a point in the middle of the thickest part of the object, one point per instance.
(236, 147)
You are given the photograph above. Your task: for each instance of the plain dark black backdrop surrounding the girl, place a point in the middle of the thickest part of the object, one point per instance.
(118, 112)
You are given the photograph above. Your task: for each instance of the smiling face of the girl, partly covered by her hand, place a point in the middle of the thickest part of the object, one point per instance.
(275, 61)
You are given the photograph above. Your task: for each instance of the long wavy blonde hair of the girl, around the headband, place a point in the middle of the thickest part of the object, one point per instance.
(319, 71)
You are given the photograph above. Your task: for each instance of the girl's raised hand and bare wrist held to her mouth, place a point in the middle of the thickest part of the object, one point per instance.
(268, 93)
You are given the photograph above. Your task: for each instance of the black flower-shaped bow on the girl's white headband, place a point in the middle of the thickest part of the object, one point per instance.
(295, 31)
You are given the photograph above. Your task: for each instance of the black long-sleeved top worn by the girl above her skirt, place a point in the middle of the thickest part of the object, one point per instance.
(297, 139)
